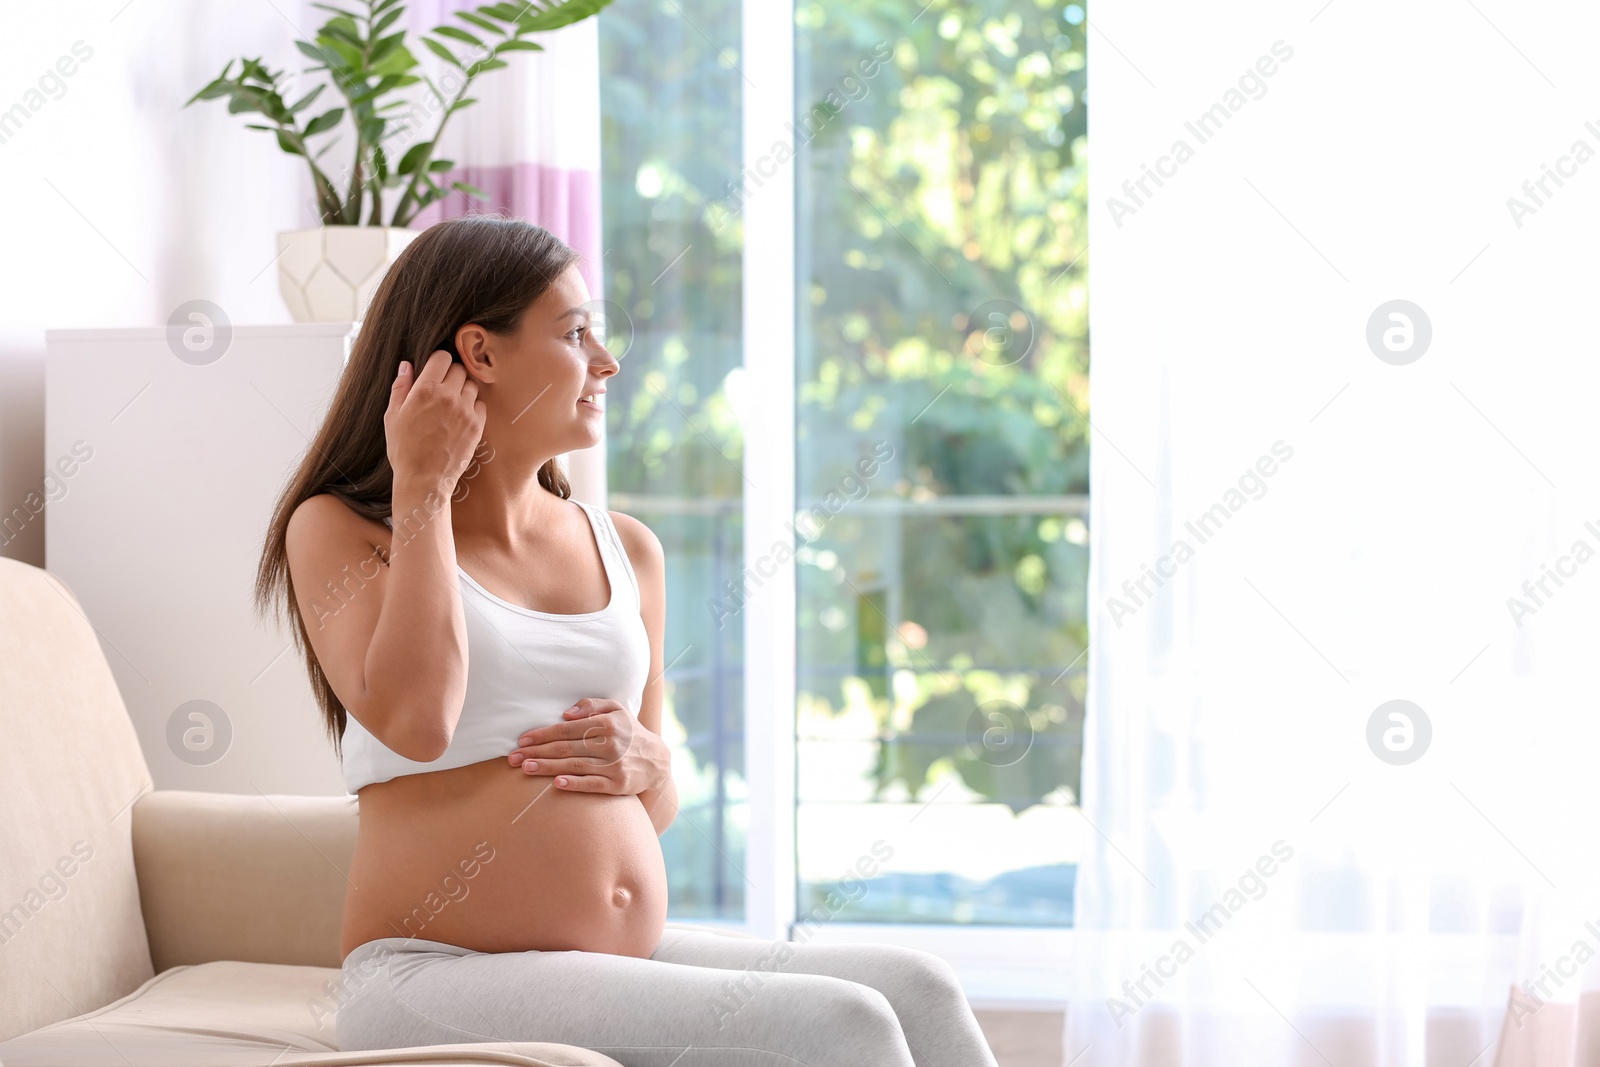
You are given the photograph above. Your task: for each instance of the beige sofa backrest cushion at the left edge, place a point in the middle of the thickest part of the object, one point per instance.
(71, 933)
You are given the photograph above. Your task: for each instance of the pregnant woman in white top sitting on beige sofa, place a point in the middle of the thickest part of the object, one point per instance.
(489, 657)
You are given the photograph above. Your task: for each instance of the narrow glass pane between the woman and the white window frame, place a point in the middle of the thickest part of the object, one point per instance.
(671, 98)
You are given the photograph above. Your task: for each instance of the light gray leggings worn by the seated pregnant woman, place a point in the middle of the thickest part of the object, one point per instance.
(703, 999)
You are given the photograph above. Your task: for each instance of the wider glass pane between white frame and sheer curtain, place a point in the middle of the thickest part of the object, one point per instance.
(943, 330)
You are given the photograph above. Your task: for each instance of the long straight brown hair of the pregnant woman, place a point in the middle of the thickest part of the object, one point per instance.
(482, 270)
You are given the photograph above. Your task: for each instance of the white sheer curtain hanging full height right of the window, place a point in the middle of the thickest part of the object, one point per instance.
(1321, 532)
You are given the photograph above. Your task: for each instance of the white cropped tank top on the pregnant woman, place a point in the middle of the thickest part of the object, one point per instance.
(526, 668)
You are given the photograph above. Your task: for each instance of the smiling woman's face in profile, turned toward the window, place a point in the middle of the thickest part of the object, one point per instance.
(543, 385)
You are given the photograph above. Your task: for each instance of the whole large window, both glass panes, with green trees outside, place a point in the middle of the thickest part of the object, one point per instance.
(942, 439)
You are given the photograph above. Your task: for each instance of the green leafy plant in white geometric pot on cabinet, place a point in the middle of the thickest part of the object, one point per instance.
(329, 273)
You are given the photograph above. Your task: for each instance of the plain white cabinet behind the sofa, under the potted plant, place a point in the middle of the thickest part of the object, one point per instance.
(164, 473)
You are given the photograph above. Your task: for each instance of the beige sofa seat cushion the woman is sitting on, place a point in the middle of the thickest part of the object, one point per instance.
(236, 1015)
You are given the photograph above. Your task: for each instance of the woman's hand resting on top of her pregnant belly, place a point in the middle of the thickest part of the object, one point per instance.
(599, 748)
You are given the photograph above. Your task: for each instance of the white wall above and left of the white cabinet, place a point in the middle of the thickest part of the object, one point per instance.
(121, 202)
